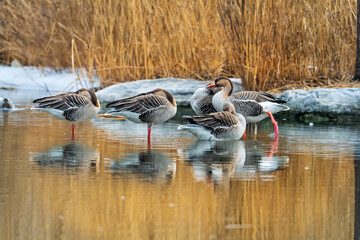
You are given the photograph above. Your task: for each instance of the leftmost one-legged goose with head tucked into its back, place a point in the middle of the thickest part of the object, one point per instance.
(72, 106)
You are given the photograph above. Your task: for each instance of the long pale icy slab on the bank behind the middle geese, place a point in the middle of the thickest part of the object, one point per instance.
(182, 89)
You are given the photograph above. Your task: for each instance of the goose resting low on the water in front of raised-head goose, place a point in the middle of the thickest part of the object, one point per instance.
(221, 126)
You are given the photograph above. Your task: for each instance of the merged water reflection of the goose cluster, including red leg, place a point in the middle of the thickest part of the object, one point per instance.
(215, 162)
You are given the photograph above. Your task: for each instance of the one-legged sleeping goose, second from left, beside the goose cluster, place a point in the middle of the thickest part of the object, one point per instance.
(153, 107)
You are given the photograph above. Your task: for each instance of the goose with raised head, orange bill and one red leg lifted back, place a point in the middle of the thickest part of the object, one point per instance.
(253, 105)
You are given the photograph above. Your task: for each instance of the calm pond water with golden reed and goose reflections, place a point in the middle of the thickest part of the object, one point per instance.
(107, 185)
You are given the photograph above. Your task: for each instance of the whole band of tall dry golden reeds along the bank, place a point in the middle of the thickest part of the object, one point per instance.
(267, 43)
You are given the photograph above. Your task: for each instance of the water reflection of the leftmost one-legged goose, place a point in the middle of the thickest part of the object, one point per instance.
(73, 155)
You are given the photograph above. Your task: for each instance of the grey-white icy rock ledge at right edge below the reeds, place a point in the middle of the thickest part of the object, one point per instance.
(324, 101)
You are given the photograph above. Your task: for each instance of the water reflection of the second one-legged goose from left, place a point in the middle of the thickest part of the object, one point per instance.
(150, 164)
